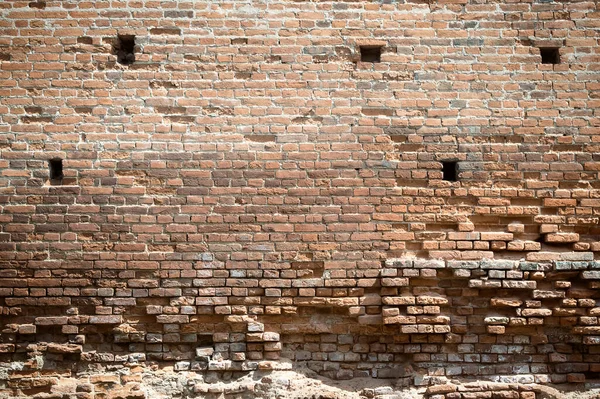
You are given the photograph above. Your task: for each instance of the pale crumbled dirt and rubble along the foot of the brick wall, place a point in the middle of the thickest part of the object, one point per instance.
(143, 382)
